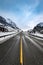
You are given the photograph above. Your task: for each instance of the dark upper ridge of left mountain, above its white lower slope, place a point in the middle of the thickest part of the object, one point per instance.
(11, 23)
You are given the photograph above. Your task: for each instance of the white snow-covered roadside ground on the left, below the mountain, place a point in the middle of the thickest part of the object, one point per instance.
(5, 38)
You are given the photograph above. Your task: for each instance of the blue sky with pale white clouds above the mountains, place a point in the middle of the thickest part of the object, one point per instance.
(25, 13)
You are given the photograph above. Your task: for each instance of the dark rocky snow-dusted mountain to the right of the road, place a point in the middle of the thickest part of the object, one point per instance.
(37, 29)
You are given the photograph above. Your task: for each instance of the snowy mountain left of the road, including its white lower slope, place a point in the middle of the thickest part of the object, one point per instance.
(8, 23)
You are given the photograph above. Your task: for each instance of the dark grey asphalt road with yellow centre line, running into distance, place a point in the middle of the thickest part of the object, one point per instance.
(23, 49)
